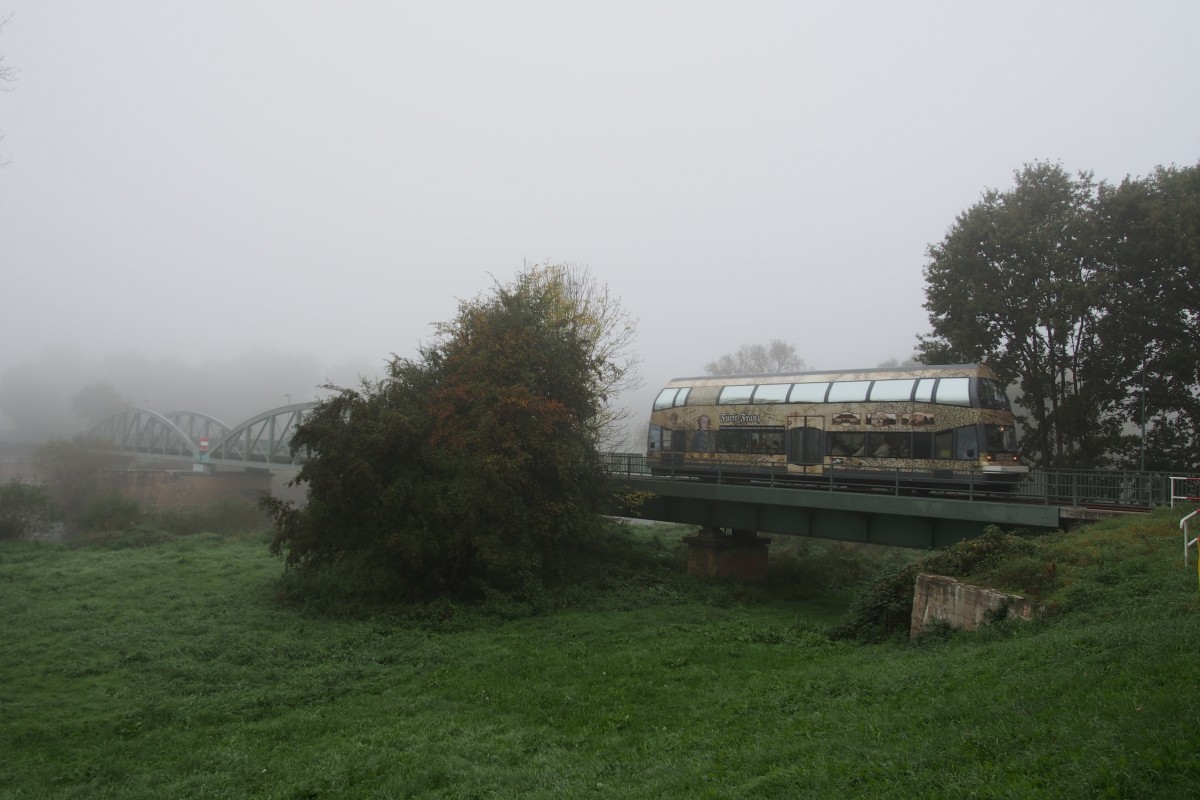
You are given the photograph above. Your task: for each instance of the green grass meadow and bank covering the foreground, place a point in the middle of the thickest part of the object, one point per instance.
(184, 667)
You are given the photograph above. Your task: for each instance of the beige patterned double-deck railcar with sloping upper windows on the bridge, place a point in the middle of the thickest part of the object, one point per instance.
(927, 426)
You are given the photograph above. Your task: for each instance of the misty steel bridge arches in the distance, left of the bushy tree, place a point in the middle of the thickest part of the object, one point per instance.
(261, 442)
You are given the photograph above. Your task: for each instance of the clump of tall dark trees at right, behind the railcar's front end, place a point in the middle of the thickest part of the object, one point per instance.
(1088, 297)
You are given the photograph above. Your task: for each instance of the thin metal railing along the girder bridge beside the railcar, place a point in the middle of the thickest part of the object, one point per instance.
(1066, 488)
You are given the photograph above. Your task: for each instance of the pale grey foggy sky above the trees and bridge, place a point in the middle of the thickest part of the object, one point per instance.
(196, 182)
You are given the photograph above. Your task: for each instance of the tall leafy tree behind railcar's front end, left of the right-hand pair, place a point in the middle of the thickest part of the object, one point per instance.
(1012, 285)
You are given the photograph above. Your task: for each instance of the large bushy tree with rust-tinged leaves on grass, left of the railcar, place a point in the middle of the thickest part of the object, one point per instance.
(479, 460)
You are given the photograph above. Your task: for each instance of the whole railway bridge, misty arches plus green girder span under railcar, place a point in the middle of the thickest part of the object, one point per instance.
(885, 515)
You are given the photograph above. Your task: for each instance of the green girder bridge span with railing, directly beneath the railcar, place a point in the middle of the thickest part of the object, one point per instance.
(887, 514)
